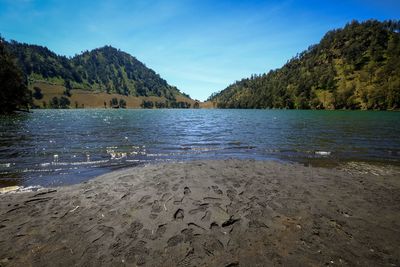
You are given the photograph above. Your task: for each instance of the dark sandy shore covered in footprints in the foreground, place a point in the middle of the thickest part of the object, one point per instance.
(209, 213)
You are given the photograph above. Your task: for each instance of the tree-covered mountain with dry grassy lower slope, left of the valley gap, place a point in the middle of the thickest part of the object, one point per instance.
(105, 70)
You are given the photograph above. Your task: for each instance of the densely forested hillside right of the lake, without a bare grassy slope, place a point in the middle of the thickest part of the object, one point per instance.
(357, 67)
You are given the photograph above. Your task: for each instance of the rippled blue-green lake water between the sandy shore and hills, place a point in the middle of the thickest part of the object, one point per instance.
(52, 147)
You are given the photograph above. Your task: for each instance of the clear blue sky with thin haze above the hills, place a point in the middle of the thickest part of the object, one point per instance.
(200, 46)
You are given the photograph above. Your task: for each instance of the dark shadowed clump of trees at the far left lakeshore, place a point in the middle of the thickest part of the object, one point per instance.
(14, 93)
